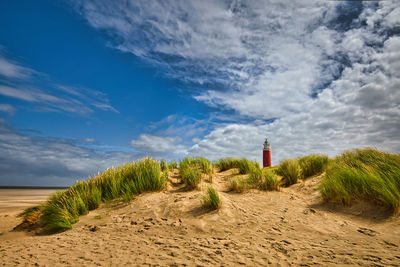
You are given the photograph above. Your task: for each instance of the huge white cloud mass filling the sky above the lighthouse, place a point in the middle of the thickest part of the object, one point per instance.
(329, 88)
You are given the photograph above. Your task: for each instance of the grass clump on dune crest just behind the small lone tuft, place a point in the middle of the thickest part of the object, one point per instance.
(192, 169)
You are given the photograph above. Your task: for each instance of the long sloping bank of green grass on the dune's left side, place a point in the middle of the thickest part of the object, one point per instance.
(63, 209)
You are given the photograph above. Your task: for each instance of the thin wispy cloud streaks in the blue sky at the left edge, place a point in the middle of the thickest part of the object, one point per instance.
(21, 83)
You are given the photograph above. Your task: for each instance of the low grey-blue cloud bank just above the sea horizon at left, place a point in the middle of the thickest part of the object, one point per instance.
(34, 160)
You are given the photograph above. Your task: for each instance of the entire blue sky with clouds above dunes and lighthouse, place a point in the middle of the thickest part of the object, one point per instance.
(86, 85)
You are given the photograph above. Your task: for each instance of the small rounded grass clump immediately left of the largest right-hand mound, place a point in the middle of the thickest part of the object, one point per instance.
(313, 165)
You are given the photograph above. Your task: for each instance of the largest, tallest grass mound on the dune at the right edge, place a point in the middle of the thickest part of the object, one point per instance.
(364, 175)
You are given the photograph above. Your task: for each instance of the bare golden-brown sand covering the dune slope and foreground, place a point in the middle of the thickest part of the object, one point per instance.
(290, 227)
